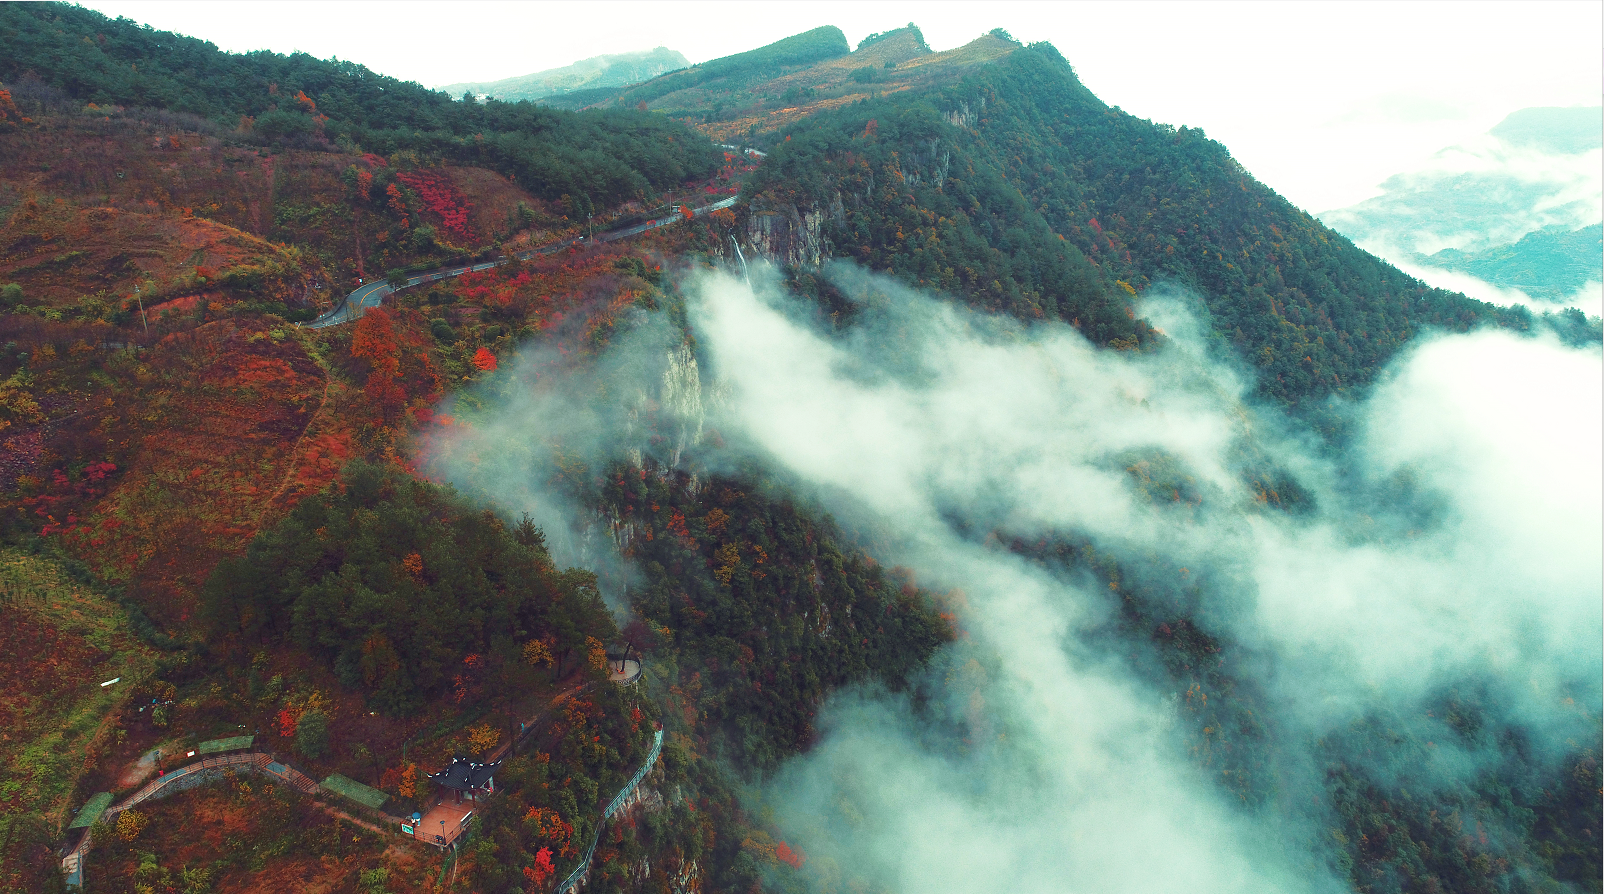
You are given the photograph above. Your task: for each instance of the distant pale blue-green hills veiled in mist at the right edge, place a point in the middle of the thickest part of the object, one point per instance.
(1518, 208)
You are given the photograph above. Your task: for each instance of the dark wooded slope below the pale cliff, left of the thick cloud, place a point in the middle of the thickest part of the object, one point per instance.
(766, 606)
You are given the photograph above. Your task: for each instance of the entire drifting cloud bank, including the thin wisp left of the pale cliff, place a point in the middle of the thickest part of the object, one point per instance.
(1064, 742)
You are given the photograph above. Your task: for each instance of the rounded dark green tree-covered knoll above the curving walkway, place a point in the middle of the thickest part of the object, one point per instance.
(395, 583)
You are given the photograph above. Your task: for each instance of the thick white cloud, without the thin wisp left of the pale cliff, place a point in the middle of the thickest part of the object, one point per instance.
(926, 415)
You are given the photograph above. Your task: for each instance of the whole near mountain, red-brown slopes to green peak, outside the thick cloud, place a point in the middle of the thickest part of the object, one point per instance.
(259, 521)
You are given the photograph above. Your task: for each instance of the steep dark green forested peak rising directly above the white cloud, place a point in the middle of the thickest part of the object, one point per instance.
(1021, 192)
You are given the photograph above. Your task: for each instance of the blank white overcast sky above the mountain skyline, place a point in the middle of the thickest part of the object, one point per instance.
(1319, 100)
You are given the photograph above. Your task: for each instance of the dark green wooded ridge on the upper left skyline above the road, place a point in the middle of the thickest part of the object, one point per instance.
(599, 158)
